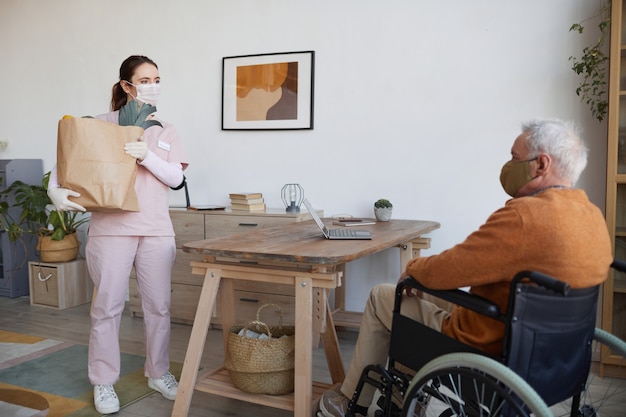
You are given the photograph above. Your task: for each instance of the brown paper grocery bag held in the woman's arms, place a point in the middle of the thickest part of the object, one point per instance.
(91, 161)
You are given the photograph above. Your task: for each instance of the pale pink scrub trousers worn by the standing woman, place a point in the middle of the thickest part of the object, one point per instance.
(109, 260)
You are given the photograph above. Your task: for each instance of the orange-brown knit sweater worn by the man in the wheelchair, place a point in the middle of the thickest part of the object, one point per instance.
(557, 232)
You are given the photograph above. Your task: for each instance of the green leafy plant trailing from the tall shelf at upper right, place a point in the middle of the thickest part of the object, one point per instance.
(592, 66)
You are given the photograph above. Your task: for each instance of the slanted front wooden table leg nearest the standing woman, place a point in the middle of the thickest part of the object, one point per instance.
(197, 339)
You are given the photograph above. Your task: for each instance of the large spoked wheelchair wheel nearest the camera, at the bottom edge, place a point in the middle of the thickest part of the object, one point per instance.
(467, 385)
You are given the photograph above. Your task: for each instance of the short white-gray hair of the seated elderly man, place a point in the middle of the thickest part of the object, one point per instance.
(562, 142)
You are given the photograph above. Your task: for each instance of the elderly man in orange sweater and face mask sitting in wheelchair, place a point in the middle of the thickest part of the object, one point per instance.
(548, 226)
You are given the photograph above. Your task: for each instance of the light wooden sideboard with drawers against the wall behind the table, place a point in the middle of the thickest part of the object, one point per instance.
(193, 225)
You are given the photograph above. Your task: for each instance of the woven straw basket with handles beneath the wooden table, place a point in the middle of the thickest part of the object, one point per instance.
(262, 366)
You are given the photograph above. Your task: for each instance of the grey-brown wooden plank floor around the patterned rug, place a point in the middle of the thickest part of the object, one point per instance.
(72, 325)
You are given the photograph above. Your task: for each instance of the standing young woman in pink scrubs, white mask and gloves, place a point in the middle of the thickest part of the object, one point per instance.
(145, 239)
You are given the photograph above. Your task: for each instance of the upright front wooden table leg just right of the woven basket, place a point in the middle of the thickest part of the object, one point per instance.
(303, 391)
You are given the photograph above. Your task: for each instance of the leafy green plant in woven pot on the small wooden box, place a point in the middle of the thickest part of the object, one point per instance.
(56, 230)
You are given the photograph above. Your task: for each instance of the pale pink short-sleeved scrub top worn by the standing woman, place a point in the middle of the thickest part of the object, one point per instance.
(153, 219)
